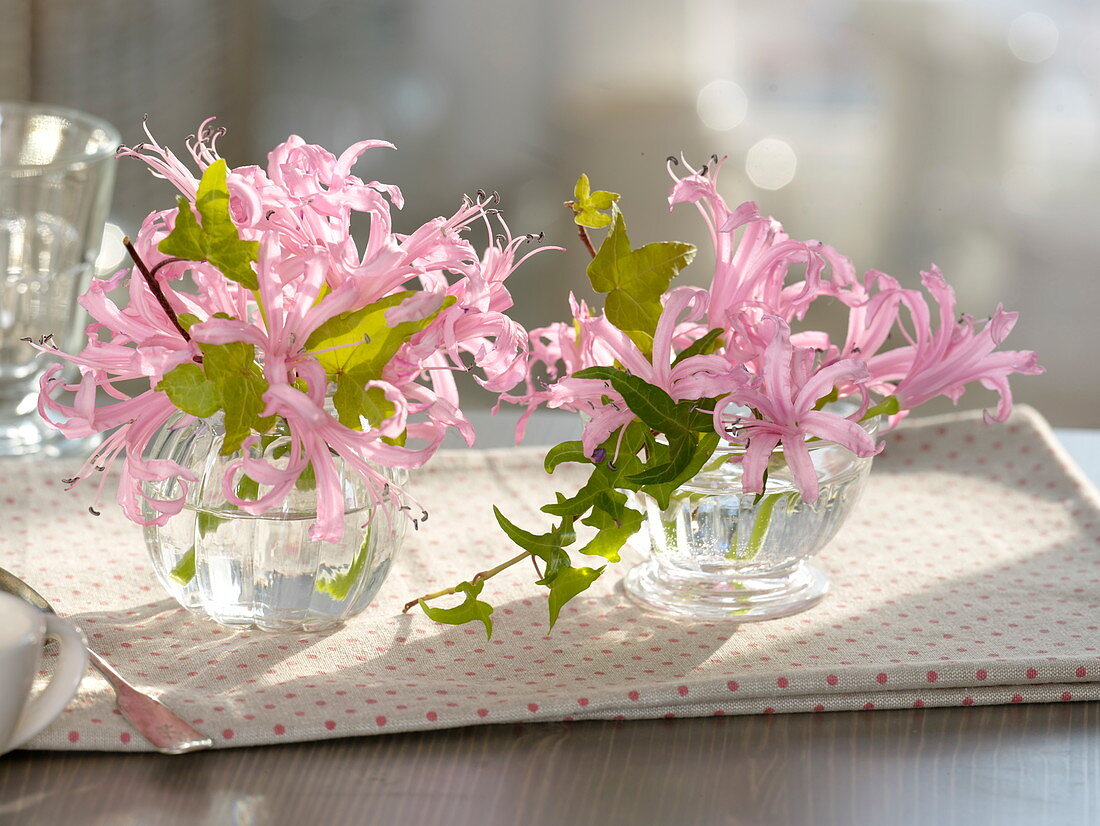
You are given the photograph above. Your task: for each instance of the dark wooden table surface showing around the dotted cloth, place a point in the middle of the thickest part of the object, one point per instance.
(997, 765)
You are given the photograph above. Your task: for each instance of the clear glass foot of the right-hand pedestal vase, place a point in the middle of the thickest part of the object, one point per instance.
(752, 599)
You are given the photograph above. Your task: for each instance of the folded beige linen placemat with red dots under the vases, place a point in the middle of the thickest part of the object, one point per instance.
(970, 575)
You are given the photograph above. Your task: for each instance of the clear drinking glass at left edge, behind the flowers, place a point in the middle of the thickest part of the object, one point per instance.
(57, 175)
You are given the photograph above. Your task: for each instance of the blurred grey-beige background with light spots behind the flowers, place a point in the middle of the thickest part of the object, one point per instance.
(903, 133)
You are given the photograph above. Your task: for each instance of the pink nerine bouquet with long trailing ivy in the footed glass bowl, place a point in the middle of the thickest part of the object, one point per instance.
(665, 376)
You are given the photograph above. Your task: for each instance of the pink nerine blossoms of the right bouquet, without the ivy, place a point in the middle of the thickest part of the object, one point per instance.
(767, 379)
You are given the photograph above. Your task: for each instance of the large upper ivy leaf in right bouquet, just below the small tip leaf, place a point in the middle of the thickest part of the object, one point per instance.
(635, 280)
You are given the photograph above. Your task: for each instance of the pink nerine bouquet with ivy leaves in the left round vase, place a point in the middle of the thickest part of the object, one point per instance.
(251, 301)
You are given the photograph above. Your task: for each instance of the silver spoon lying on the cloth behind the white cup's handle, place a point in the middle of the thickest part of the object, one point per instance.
(157, 723)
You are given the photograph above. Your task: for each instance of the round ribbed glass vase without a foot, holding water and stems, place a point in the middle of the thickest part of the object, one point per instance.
(263, 571)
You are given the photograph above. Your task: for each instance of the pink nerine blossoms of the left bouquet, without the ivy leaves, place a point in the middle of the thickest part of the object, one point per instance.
(310, 271)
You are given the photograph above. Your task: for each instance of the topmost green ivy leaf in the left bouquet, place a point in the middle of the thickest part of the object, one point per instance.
(217, 240)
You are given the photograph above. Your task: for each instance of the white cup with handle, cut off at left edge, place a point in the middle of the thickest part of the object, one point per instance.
(24, 631)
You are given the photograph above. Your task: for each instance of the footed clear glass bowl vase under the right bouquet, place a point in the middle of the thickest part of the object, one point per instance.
(719, 554)
